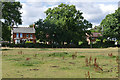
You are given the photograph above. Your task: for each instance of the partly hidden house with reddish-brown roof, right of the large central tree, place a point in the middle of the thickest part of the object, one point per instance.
(93, 36)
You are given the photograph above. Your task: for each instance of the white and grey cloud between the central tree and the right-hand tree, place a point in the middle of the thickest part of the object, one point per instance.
(95, 12)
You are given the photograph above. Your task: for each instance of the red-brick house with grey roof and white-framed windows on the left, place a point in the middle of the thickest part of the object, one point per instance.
(23, 34)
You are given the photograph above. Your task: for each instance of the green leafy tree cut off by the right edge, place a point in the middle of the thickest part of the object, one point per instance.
(111, 25)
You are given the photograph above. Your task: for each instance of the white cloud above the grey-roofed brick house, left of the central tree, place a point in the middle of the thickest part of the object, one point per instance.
(33, 11)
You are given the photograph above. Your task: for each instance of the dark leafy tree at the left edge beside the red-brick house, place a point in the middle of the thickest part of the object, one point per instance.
(12, 16)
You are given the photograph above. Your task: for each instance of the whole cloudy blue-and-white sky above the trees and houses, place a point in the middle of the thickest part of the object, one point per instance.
(93, 10)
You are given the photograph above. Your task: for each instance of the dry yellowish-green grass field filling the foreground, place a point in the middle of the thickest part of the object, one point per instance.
(50, 63)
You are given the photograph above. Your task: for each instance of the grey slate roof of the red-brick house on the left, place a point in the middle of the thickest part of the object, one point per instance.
(23, 30)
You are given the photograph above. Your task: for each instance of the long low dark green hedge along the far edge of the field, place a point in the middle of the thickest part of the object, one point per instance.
(83, 45)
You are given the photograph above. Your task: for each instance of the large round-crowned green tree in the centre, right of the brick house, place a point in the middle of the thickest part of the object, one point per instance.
(65, 24)
